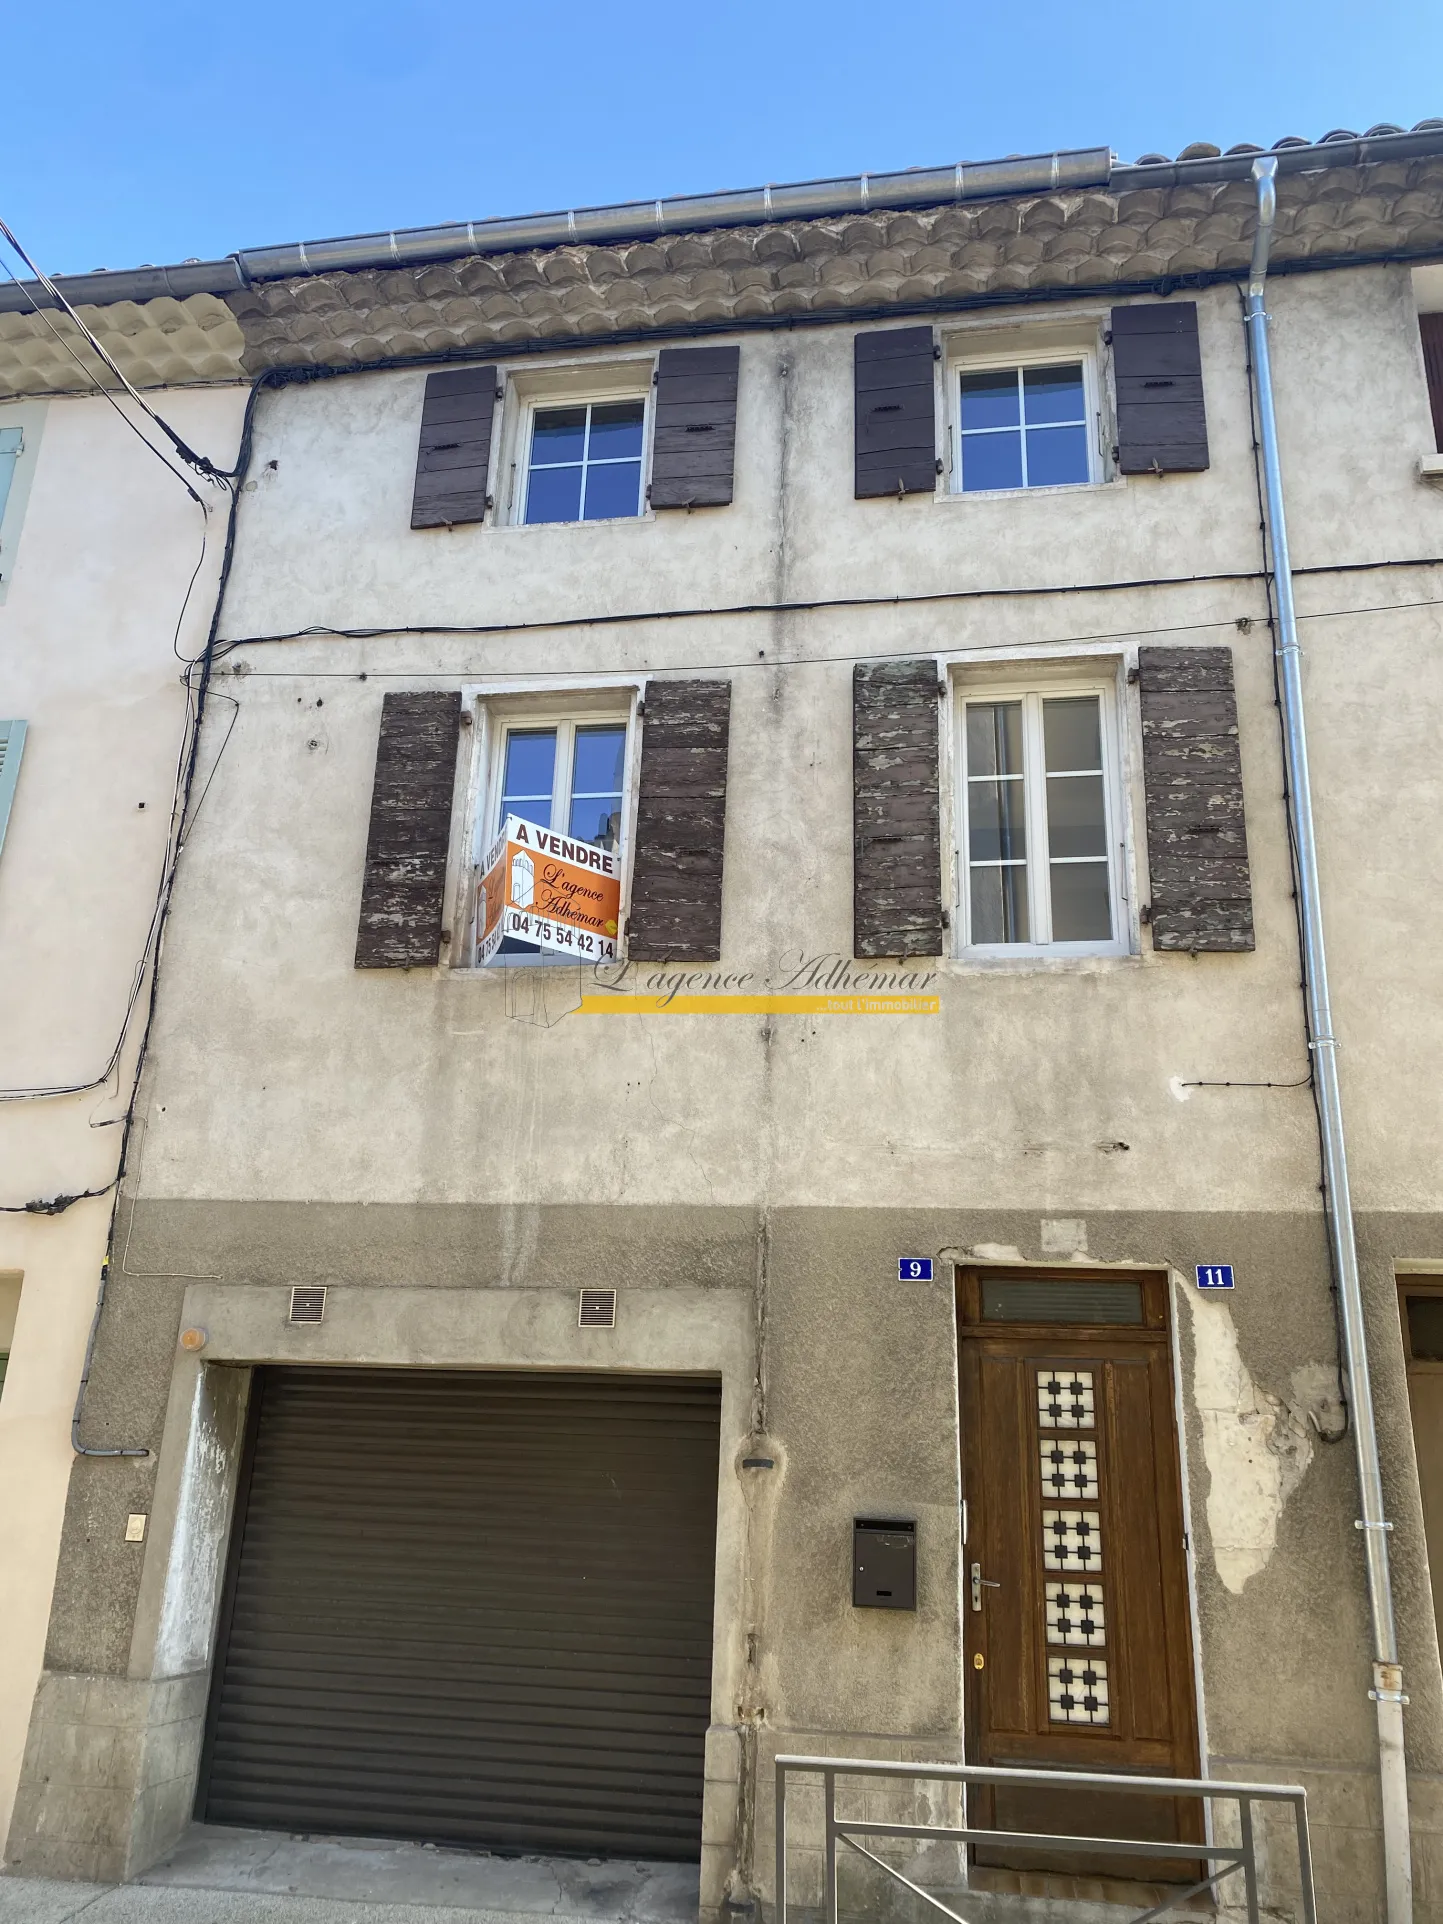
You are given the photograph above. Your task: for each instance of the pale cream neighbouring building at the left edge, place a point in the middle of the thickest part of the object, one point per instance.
(105, 595)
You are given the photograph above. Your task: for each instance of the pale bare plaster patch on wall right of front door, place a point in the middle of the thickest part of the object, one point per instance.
(1255, 1446)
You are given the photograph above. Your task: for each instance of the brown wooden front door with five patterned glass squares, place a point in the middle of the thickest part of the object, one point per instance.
(1075, 1579)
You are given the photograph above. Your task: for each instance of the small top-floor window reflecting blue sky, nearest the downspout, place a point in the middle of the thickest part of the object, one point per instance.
(1023, 428)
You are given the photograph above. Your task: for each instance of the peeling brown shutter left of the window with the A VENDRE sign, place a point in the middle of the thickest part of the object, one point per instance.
(405, 886)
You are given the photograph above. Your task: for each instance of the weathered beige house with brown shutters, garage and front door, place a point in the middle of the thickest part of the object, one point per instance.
(734, 988)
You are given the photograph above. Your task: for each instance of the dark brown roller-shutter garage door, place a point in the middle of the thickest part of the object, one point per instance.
(470, 1608)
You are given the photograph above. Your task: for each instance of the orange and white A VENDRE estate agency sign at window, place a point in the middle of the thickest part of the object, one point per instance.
(549, 890)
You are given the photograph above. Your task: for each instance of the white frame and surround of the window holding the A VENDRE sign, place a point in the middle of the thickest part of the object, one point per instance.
(495, 715)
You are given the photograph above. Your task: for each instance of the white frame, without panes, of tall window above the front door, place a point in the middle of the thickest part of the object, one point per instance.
(1032, 692)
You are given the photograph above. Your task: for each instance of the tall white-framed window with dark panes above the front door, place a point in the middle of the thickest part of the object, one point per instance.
(1042, 859)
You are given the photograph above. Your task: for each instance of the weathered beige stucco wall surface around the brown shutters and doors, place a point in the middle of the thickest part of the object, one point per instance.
(453, 1152)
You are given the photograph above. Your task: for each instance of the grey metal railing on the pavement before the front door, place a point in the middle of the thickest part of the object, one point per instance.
(1223, 1860)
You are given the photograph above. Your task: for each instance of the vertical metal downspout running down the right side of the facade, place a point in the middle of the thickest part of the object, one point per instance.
(1388, 1675)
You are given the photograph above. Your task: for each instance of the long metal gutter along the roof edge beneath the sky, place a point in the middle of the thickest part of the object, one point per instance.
(1071, 170)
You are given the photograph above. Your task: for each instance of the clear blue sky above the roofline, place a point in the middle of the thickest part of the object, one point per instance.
(178, 130)
